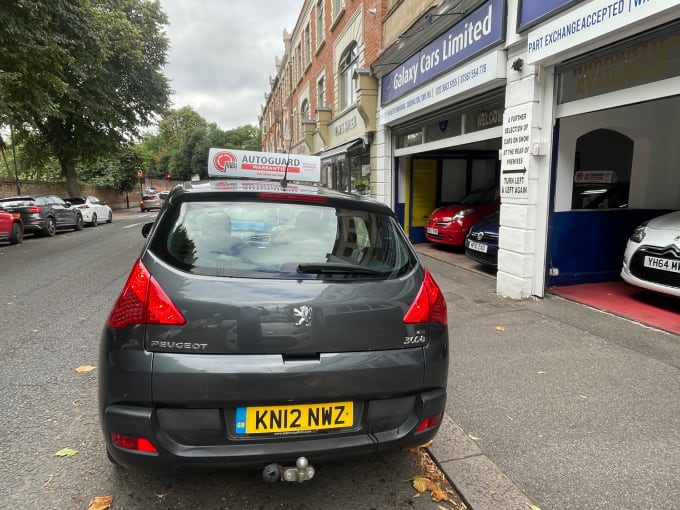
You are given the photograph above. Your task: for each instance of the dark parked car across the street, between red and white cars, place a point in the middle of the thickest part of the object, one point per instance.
(44, 214)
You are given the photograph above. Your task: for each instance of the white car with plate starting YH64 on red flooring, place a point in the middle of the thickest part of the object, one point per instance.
(652, 256)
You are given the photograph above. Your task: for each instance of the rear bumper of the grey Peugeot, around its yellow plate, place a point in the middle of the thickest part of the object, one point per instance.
(192, 438)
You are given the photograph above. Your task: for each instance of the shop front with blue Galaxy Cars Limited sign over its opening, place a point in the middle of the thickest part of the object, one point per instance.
(441, 113)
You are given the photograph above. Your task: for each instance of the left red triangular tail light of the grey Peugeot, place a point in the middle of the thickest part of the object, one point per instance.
(143, 301)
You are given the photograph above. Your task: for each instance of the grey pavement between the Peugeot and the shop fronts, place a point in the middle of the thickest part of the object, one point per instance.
(554, 404)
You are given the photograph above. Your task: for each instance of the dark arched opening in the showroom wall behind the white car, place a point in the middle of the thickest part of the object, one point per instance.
(602, 168)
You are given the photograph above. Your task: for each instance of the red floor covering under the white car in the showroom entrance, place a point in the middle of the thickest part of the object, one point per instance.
(619, 298)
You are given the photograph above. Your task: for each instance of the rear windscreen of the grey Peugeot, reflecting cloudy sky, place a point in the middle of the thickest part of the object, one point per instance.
(281, 240)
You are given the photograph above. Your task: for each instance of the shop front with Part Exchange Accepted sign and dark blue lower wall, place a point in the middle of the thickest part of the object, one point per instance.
(614, 151)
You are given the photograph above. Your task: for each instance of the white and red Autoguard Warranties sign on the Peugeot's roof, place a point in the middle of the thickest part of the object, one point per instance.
(226, 163)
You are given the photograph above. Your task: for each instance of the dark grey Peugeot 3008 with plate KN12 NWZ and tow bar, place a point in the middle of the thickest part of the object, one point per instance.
(268, 327)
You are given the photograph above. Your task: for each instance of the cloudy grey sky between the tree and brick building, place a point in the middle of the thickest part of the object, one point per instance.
(222, 53)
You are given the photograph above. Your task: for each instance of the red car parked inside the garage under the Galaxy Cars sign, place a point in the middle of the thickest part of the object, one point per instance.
(449, 224)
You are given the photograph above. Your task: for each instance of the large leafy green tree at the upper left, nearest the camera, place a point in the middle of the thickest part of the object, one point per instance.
(104, 83)
